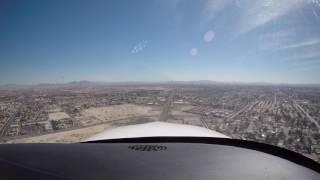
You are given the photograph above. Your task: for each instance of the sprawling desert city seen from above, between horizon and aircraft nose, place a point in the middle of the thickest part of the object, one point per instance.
(282, 115)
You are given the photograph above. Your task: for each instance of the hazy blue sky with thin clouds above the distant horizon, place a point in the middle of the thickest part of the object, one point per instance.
(275, 41)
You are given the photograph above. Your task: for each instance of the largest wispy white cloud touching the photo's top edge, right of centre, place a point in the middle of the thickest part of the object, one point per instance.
(252, 14)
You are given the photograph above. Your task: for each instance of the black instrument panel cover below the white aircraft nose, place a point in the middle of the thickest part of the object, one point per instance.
(155, 158)
